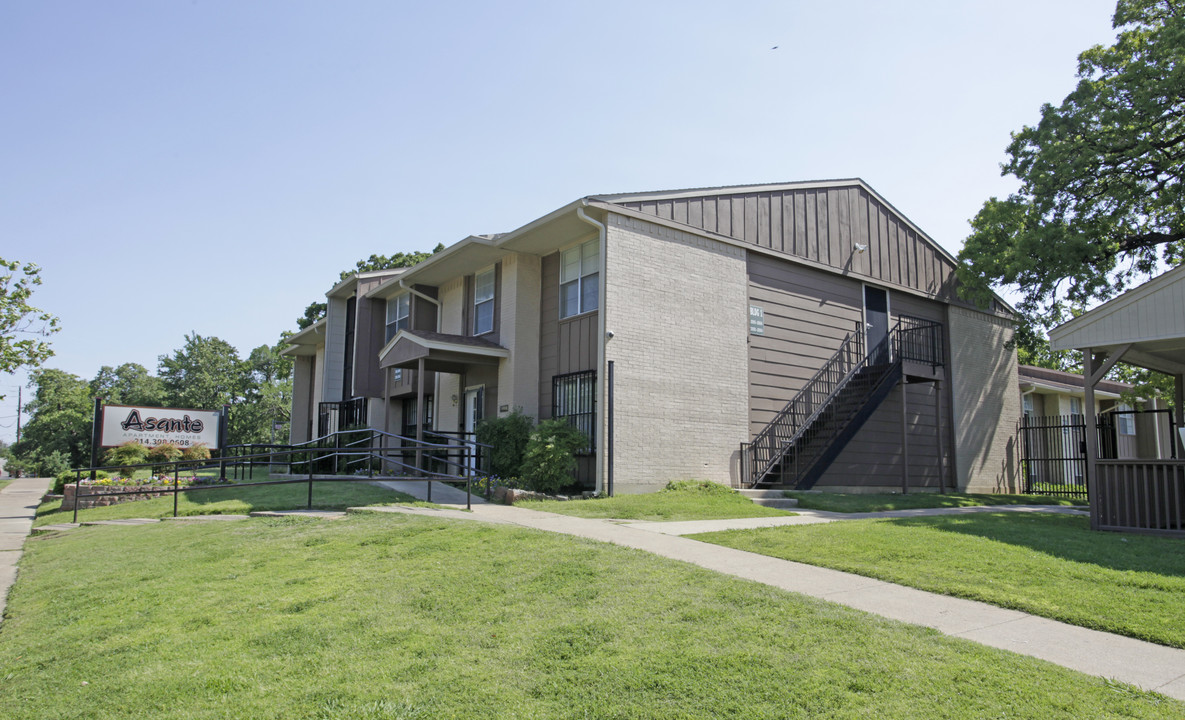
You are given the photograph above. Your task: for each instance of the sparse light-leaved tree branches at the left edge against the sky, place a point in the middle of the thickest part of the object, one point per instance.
(21, 319)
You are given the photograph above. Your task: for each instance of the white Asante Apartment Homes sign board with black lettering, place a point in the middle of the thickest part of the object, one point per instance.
(159, 426)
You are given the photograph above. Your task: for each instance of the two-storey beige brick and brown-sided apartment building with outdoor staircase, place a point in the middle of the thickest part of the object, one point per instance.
(714, 308)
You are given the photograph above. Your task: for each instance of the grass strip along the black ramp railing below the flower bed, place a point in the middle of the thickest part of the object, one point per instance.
(232, 500)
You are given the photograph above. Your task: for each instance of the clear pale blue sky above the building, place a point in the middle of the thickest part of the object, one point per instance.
(212, 166)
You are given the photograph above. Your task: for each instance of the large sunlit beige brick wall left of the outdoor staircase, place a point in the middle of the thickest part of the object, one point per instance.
(677, 305)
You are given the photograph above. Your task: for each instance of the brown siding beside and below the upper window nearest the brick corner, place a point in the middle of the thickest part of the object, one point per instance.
(566, 346)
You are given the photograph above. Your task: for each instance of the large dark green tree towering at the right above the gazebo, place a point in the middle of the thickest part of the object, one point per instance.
(1101, 204)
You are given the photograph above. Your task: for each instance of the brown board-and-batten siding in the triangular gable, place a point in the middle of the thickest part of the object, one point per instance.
(821, 226)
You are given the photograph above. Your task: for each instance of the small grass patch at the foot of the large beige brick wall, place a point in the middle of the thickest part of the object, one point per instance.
(678, 502)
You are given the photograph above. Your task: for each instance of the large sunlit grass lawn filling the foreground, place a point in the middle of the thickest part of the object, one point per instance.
(399, 618)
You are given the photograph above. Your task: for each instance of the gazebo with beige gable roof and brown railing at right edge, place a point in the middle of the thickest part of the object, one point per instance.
(1144, 327)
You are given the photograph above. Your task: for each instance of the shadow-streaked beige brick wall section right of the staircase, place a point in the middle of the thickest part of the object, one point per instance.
(985, 403)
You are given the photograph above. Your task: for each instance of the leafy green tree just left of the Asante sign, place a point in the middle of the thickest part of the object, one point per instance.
(61, 415)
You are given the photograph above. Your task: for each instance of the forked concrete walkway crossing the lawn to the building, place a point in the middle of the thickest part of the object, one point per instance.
(1137, 663)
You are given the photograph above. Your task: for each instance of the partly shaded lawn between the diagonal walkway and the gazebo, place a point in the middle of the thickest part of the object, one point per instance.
(1045, 564)
